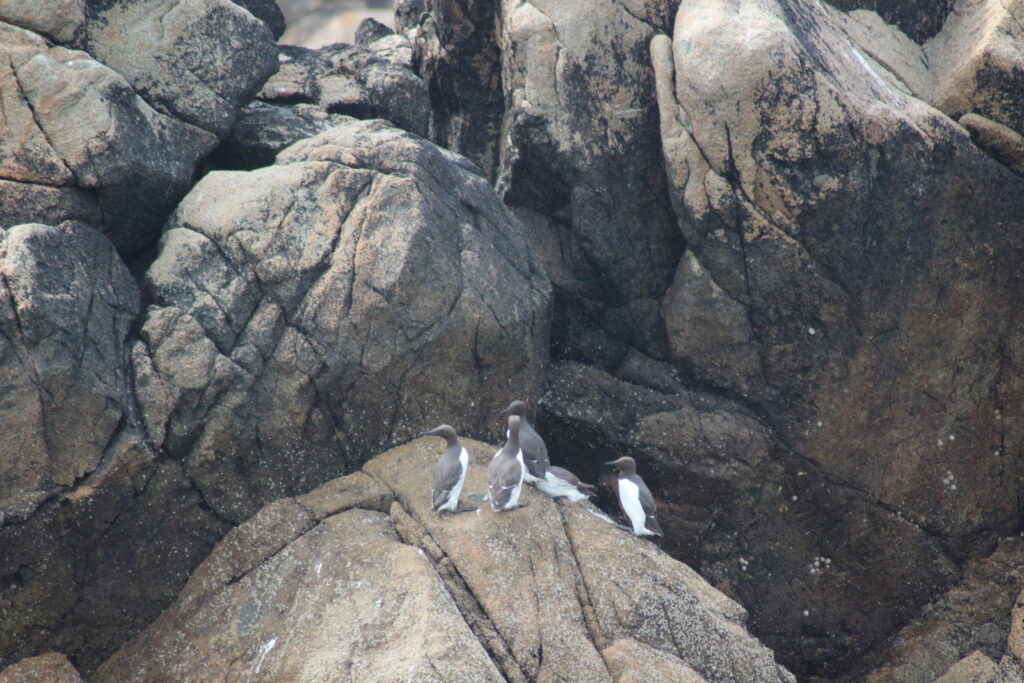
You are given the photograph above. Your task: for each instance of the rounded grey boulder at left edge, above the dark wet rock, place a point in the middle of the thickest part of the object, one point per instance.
(66, 305)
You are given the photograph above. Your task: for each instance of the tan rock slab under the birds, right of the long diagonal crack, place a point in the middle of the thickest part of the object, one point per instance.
(557, 584)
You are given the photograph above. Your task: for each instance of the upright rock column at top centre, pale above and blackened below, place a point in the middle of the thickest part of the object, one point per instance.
(581, 110)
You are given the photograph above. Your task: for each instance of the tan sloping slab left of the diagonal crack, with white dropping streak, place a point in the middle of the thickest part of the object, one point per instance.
(295, 595)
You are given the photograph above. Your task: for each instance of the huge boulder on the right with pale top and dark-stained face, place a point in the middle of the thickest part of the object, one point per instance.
(854, 282)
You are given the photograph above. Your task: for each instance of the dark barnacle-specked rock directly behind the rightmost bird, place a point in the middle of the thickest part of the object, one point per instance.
(763, 525)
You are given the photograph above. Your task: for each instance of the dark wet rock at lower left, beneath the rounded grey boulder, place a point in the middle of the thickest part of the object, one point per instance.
(90, 570)
